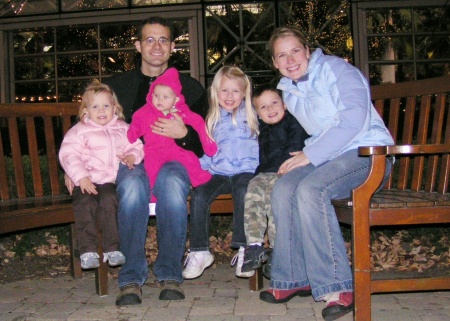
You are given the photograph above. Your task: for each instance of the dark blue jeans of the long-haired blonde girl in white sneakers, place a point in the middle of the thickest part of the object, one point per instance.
(201, 199)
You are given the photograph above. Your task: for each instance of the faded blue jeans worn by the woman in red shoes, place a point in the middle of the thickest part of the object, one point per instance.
(309, 247)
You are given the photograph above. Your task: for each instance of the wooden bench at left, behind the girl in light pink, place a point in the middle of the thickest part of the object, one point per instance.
(35, 197)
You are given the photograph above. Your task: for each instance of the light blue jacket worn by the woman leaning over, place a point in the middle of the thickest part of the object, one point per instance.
(332, 102)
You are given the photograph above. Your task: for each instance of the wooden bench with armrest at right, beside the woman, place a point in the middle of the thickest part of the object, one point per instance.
(417, 115)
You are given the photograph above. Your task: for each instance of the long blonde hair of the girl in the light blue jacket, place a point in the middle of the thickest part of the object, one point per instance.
(213, 116)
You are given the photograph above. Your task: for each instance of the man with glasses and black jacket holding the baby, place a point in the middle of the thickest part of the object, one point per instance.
(172, 186)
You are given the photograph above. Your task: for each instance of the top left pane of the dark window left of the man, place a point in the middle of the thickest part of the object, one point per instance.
(29, 42)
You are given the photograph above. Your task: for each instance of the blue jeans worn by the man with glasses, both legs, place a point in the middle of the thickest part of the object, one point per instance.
(171, 189)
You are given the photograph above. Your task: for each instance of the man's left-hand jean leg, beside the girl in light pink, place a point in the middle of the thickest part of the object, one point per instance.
(133, 191)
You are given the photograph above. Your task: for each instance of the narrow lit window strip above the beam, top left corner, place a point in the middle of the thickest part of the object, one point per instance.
(20, 7)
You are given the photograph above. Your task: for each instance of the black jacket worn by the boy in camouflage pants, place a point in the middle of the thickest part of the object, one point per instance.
(277, 141)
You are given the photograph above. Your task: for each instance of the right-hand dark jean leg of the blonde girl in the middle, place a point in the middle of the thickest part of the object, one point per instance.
(239, 185)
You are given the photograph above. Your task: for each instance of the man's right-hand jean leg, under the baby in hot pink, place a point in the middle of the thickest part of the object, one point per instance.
(171, 189)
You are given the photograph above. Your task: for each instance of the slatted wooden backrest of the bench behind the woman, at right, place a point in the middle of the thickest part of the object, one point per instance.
(417, 113)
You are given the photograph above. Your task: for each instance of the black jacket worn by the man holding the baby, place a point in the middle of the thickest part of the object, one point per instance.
(132, 88)
